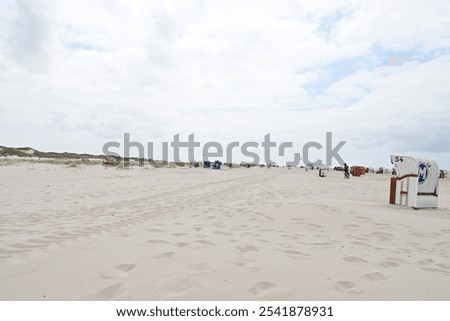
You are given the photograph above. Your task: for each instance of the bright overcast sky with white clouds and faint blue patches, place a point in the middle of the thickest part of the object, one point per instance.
(77, 74)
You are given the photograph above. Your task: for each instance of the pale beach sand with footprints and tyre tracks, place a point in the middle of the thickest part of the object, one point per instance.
(90, 233)
